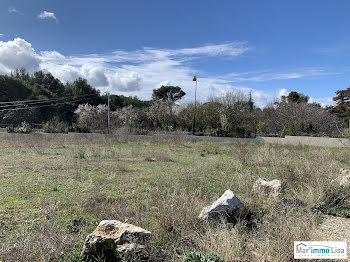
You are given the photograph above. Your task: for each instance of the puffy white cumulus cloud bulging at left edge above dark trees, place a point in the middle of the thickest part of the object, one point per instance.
(18, 54)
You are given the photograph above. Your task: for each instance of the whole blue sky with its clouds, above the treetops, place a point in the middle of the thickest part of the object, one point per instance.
(130, 47)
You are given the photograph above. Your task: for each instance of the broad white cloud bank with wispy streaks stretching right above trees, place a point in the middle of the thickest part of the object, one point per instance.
(138, 72)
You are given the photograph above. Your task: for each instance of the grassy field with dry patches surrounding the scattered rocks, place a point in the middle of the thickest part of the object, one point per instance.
(54, 190)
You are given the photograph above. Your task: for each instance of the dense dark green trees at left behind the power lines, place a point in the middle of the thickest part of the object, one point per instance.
(51, 99)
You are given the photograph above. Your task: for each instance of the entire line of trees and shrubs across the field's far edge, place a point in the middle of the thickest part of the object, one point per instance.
(78, 106)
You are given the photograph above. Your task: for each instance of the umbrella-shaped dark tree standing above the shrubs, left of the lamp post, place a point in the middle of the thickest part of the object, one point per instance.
(169, 94)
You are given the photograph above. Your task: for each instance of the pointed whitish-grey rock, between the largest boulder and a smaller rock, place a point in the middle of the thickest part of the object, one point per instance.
(227, 207)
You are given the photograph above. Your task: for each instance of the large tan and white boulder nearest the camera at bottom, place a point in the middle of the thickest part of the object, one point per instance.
(112, 240)
